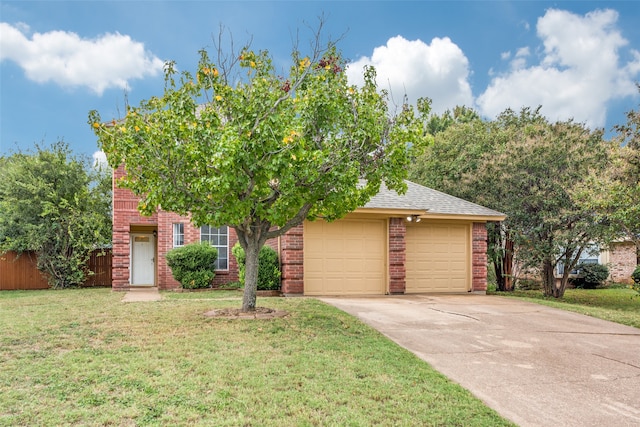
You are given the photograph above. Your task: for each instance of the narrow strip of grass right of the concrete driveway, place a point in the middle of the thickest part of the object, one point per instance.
(620, 305)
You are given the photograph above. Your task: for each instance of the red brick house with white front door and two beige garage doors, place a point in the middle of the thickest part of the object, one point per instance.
(422, 241)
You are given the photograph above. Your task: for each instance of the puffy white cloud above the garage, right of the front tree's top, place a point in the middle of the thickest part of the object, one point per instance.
(439, 71)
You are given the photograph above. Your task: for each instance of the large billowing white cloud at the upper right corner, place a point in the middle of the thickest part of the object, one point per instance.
(578, 74)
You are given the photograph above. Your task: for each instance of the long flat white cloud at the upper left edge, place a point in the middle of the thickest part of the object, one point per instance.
(109, 61)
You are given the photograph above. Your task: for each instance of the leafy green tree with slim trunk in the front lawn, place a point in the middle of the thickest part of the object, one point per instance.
(242, 144)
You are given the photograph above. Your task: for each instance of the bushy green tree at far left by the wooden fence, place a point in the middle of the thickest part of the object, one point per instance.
(58, 205)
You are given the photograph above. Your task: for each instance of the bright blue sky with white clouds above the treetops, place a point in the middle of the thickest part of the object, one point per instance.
(60, 59)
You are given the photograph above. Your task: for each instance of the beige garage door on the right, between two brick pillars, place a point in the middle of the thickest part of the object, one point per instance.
(438, 257)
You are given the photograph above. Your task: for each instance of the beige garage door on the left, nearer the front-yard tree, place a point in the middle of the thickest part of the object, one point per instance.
(345, 257)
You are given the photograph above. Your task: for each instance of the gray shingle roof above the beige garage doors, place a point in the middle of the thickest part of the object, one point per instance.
(419, 197)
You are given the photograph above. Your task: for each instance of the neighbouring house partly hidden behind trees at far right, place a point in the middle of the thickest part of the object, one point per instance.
(620, 256)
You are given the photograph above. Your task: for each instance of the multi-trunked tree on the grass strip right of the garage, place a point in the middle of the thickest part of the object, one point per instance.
(543, 165)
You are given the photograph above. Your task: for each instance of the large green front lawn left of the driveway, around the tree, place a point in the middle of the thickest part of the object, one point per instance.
(82, 357)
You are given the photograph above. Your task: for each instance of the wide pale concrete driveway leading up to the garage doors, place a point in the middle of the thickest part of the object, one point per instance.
(536, 366)
